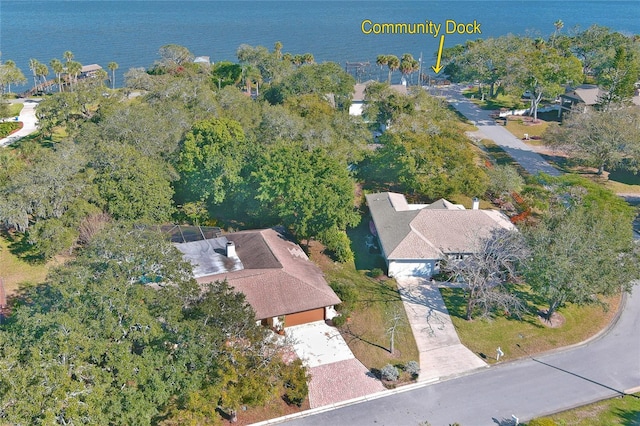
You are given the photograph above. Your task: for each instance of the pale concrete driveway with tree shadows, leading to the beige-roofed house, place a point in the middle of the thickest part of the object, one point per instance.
(441, 353)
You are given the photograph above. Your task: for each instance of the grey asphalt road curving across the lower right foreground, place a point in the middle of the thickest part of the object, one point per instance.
(605, 367)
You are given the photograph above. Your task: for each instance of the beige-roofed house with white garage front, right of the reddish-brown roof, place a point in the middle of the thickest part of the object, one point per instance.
(414, 238)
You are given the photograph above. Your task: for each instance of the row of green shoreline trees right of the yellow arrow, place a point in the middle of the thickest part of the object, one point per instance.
(544, 68)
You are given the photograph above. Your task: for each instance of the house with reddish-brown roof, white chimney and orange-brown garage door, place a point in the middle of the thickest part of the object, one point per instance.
(275, 275)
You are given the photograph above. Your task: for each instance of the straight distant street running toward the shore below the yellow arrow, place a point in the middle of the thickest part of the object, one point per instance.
(531, 161)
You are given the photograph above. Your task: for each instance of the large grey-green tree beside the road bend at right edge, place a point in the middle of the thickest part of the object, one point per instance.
(583, 247)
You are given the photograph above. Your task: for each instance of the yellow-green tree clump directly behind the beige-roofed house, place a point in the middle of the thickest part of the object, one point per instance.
(423, 151)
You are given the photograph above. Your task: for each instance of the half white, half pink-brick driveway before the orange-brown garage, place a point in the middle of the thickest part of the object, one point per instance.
(336, 375)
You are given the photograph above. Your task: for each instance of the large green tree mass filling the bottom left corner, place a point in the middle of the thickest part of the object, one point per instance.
(96, 345)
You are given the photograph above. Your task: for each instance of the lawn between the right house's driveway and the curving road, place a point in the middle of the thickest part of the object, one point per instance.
(529, 335)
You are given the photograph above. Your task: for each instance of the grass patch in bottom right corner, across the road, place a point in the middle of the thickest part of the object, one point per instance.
(623, 411)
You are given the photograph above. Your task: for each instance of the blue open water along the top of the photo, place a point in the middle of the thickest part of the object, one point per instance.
(130, 32)
